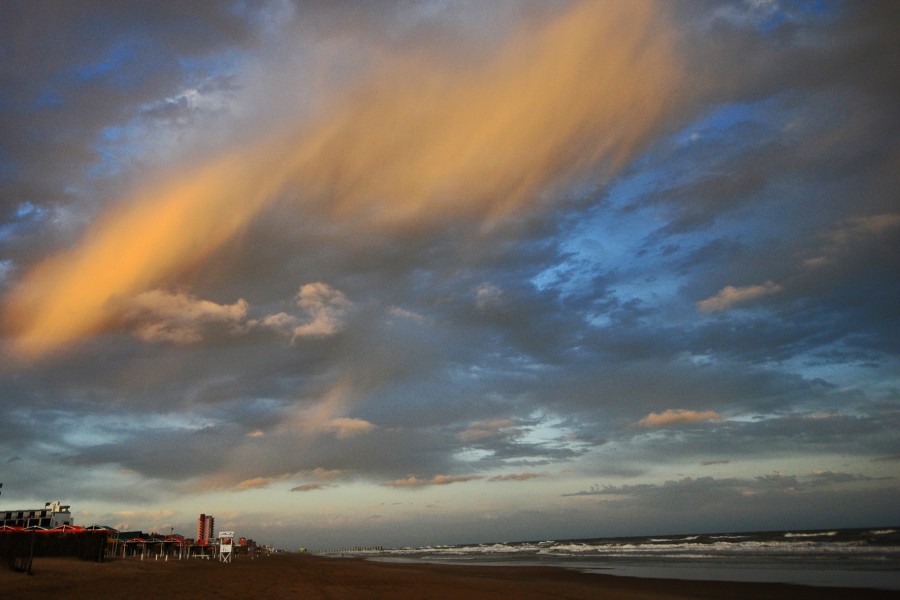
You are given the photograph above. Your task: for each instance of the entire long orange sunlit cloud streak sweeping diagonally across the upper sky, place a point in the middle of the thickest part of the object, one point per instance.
(423, 139)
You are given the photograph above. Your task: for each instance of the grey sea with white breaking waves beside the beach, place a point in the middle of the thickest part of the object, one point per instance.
(859, 558)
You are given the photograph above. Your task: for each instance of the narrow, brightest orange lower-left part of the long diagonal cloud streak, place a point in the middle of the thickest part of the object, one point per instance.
(130, 251)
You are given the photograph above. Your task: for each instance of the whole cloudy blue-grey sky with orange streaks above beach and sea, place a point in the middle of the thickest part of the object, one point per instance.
(435, 272)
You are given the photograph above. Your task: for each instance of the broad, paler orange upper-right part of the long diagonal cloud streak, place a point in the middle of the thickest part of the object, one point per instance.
(429, 139)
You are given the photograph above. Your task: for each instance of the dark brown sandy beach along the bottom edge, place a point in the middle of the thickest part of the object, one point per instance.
(302, 576)
